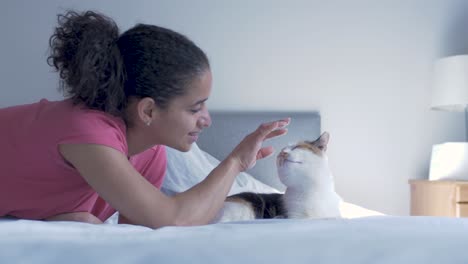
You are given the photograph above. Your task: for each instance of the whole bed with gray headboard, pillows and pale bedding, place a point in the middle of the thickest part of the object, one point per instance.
(366, 238)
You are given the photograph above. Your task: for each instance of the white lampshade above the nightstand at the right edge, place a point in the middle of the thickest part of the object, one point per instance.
(450, 90)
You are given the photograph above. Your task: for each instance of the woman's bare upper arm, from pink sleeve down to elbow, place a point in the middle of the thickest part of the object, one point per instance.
(111, 175)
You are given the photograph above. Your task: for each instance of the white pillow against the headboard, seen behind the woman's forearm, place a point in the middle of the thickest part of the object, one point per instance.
(185, 169)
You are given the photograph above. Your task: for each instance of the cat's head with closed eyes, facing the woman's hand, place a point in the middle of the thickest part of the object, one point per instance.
(304, 162)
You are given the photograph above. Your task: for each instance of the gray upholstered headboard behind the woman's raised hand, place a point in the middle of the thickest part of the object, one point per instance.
(229, 128)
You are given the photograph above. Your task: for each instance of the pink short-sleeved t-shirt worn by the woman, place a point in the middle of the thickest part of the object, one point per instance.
(35, 180)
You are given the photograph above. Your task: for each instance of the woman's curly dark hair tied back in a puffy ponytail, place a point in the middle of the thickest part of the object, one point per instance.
(103, 70)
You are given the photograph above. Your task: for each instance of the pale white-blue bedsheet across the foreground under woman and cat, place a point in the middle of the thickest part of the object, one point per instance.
(377, 239)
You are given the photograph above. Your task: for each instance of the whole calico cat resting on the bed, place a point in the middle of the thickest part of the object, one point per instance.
(310, 191)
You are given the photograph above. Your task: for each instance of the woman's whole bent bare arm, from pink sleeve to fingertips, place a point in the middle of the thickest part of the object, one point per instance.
(110, 173)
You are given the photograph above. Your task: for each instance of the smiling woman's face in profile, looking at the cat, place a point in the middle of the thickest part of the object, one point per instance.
(179, 125)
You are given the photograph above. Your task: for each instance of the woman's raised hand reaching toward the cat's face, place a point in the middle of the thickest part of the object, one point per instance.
(250, 148)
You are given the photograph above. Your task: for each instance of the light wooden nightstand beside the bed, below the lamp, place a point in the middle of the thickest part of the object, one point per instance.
(439, 198)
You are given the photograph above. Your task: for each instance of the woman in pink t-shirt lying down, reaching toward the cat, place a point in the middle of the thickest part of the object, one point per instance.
(102, 148)
